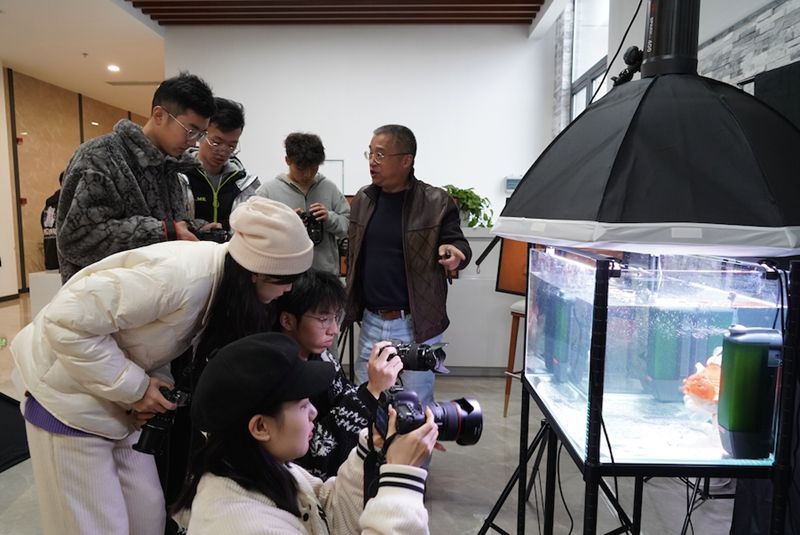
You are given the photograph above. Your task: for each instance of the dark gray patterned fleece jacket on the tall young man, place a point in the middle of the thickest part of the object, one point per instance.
(118, 190)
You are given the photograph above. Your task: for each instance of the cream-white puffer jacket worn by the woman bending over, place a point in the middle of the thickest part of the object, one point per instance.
(88, 355)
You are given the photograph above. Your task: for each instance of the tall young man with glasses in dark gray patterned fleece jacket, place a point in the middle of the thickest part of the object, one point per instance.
(121, 190)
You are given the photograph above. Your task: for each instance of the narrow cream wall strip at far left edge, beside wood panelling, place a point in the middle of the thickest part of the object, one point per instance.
(9, 271)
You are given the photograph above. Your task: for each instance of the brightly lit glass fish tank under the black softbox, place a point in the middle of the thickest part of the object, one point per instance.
(665, 321)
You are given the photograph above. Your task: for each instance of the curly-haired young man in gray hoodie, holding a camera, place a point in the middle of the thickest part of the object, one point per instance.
(309, 193)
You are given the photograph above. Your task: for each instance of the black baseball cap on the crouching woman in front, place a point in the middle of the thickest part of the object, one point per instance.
(251, 375)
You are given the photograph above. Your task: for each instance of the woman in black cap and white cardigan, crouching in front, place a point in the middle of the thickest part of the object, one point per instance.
(252, 403)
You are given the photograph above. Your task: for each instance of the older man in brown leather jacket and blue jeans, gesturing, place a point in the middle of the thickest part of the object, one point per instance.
(404, 236)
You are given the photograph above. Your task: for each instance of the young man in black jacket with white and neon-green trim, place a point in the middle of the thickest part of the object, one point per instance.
(221, 182)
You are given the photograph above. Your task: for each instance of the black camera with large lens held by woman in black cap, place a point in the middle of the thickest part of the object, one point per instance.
(460, 420)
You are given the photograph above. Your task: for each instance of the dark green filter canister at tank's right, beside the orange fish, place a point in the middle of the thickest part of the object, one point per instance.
(751, 357)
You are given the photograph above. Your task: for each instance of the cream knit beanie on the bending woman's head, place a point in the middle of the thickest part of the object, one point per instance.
(269, 238)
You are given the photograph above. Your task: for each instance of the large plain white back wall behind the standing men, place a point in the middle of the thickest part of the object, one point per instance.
(478, 98)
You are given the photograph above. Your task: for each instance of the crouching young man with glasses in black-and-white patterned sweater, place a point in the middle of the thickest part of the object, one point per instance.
(311, 313)
